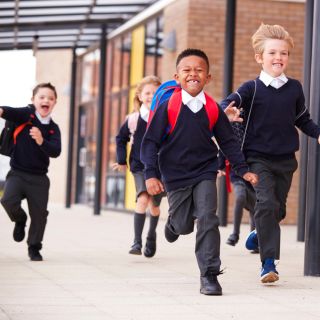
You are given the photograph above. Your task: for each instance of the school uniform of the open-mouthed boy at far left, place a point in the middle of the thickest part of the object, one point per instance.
(29, 164)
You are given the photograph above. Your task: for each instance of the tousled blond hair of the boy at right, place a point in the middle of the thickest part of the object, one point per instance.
(266, 32)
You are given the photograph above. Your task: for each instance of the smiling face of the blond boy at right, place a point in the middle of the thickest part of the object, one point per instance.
(275, 57)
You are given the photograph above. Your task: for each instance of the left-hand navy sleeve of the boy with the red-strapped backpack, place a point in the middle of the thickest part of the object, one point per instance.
(152, 141)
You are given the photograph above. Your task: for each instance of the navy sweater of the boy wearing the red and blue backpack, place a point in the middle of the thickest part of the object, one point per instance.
(188, 155)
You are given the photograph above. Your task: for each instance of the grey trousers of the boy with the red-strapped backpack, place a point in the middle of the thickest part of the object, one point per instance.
(198, 202)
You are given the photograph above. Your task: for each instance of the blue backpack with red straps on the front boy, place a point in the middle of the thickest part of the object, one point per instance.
(170, 91)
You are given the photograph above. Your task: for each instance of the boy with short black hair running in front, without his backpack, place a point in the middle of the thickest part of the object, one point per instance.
(189, 164)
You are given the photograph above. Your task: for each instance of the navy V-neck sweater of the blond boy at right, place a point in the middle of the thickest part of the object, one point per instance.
(276, 113)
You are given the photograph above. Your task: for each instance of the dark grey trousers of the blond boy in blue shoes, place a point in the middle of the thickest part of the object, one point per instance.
(275, 179)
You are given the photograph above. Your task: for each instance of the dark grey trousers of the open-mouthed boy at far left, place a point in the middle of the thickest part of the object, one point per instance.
(35, 189)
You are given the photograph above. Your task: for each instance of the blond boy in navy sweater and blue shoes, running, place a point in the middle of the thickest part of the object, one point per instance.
(272, 138)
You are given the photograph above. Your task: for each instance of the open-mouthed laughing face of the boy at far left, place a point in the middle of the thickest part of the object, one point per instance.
(44, 101)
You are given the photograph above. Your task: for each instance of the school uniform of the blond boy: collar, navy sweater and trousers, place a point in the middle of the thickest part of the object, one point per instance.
(269, 147)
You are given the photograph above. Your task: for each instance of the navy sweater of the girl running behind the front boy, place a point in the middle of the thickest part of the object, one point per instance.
(123, 138)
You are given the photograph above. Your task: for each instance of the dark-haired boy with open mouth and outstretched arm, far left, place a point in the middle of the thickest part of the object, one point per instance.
(38, 140)
